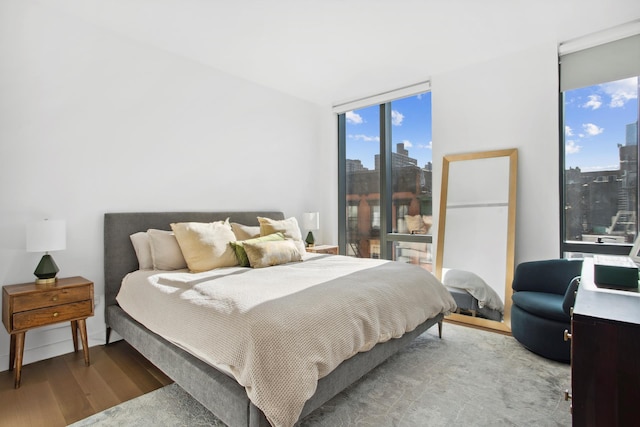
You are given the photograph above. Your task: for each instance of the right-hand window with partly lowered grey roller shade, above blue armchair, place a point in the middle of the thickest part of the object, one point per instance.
(599, 97)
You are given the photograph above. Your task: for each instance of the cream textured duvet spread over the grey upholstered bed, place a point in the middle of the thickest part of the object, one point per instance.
(280, 329)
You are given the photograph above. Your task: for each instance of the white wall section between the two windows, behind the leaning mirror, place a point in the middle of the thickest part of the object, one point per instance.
(508, 102)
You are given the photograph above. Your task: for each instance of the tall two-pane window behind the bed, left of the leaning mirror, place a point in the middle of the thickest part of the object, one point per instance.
(385, 177)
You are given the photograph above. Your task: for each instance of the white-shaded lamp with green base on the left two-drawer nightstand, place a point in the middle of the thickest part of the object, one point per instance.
(46, 236)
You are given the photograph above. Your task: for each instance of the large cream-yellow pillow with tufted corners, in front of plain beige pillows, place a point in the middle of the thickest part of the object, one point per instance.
(205, 246)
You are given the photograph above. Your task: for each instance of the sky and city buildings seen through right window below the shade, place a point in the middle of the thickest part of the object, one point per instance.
(601, 162)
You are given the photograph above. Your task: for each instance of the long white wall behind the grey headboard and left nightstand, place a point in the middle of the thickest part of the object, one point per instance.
(91, 122)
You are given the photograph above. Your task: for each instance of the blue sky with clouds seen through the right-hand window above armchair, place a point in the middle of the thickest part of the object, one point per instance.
(595, 120)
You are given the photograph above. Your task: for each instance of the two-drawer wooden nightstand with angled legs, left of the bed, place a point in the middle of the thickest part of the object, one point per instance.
(27, 306)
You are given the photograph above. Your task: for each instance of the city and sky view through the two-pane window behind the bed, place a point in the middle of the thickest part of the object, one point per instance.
(411, 168)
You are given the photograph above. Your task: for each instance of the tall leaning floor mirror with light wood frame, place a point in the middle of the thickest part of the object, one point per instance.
(476, 235)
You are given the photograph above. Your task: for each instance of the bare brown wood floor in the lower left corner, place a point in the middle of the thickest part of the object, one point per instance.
(62, 390)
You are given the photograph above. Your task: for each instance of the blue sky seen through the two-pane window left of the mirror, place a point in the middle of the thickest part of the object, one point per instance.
(411, 124)
